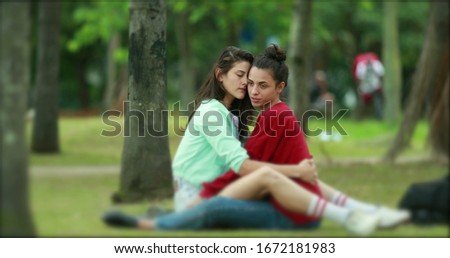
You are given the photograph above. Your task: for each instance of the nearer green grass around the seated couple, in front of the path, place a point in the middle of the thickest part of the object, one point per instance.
(71, 205)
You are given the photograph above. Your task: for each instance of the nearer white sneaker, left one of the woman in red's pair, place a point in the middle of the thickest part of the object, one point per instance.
(361, 223)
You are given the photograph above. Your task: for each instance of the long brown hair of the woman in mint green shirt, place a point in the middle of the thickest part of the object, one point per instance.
(212, 88)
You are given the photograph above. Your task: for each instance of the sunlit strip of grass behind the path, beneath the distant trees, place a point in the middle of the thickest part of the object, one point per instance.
(82, 142)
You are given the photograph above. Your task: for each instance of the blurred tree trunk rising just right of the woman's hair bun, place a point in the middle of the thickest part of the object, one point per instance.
(299, 59)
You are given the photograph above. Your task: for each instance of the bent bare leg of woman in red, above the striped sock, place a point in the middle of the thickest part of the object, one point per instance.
(290, 195)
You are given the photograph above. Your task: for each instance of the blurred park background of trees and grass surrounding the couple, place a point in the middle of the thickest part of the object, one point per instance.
(65, 69)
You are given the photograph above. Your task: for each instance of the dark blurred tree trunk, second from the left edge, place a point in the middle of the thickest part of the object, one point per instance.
(45, 137)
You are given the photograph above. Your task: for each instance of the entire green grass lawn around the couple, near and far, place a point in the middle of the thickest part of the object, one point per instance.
(70, 205)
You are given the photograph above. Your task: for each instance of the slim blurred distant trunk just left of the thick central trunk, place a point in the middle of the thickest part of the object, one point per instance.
(110, 94)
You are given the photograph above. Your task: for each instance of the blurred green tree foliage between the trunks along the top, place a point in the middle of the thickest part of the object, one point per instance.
(341, 29)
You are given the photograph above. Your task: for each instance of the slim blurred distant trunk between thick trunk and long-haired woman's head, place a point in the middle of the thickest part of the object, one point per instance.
(187, 80)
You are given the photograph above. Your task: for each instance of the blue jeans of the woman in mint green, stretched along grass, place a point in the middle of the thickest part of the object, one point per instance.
(221, 212)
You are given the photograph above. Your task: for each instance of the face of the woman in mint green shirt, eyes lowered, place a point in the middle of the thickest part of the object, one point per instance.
(235, 81)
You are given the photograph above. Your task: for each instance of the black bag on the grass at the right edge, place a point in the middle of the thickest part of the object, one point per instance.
(428, 202)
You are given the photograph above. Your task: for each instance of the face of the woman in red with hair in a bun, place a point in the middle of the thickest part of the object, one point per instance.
(262, 88)
